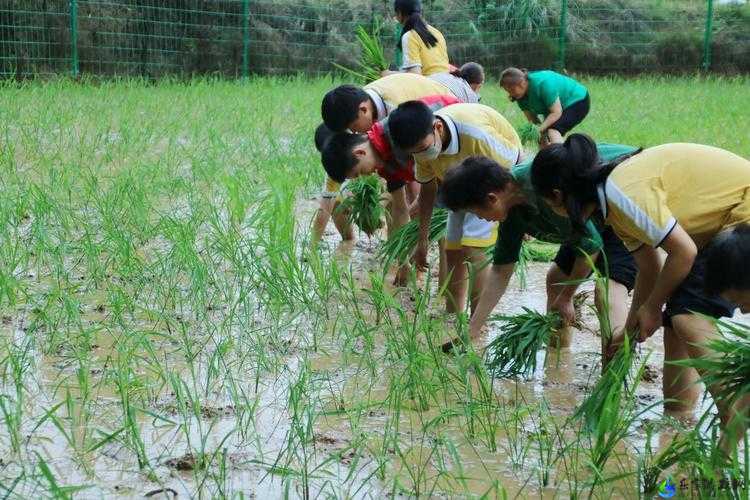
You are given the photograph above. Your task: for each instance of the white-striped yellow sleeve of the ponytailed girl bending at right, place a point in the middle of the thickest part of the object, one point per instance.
(639, 216)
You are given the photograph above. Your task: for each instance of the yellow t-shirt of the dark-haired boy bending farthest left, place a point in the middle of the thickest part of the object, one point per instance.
(390, 91)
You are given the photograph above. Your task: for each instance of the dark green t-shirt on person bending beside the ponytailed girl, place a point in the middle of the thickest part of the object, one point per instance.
(537, 219)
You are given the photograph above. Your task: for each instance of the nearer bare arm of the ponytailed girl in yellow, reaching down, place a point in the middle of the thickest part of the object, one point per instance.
(681, 252)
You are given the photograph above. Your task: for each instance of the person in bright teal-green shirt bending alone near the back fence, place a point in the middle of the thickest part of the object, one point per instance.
(560, 100)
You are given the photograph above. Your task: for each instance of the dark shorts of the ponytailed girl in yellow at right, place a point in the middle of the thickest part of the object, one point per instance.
(690, 297)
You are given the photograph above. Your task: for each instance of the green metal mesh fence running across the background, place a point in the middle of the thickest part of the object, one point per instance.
(155, 38)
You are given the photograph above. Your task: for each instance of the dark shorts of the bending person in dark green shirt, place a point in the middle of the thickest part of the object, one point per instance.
(613, 261)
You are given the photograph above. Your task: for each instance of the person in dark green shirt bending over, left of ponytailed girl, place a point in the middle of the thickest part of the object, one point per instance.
(477, 185)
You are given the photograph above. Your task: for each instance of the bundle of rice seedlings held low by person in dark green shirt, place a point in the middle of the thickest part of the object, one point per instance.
(513, 352)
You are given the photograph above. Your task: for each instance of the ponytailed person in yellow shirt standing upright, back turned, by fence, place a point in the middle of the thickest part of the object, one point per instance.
(423, 49)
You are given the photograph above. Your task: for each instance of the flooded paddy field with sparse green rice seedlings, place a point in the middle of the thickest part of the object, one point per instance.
(156, 310)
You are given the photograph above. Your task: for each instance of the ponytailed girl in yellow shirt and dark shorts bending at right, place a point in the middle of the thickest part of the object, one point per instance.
(677, 197)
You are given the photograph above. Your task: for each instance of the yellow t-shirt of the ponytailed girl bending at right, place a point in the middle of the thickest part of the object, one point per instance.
(701, 188)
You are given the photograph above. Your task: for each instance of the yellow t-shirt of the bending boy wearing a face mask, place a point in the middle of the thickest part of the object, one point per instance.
(475, 129)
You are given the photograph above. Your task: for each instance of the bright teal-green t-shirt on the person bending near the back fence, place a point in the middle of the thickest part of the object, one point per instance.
(545, 87)
